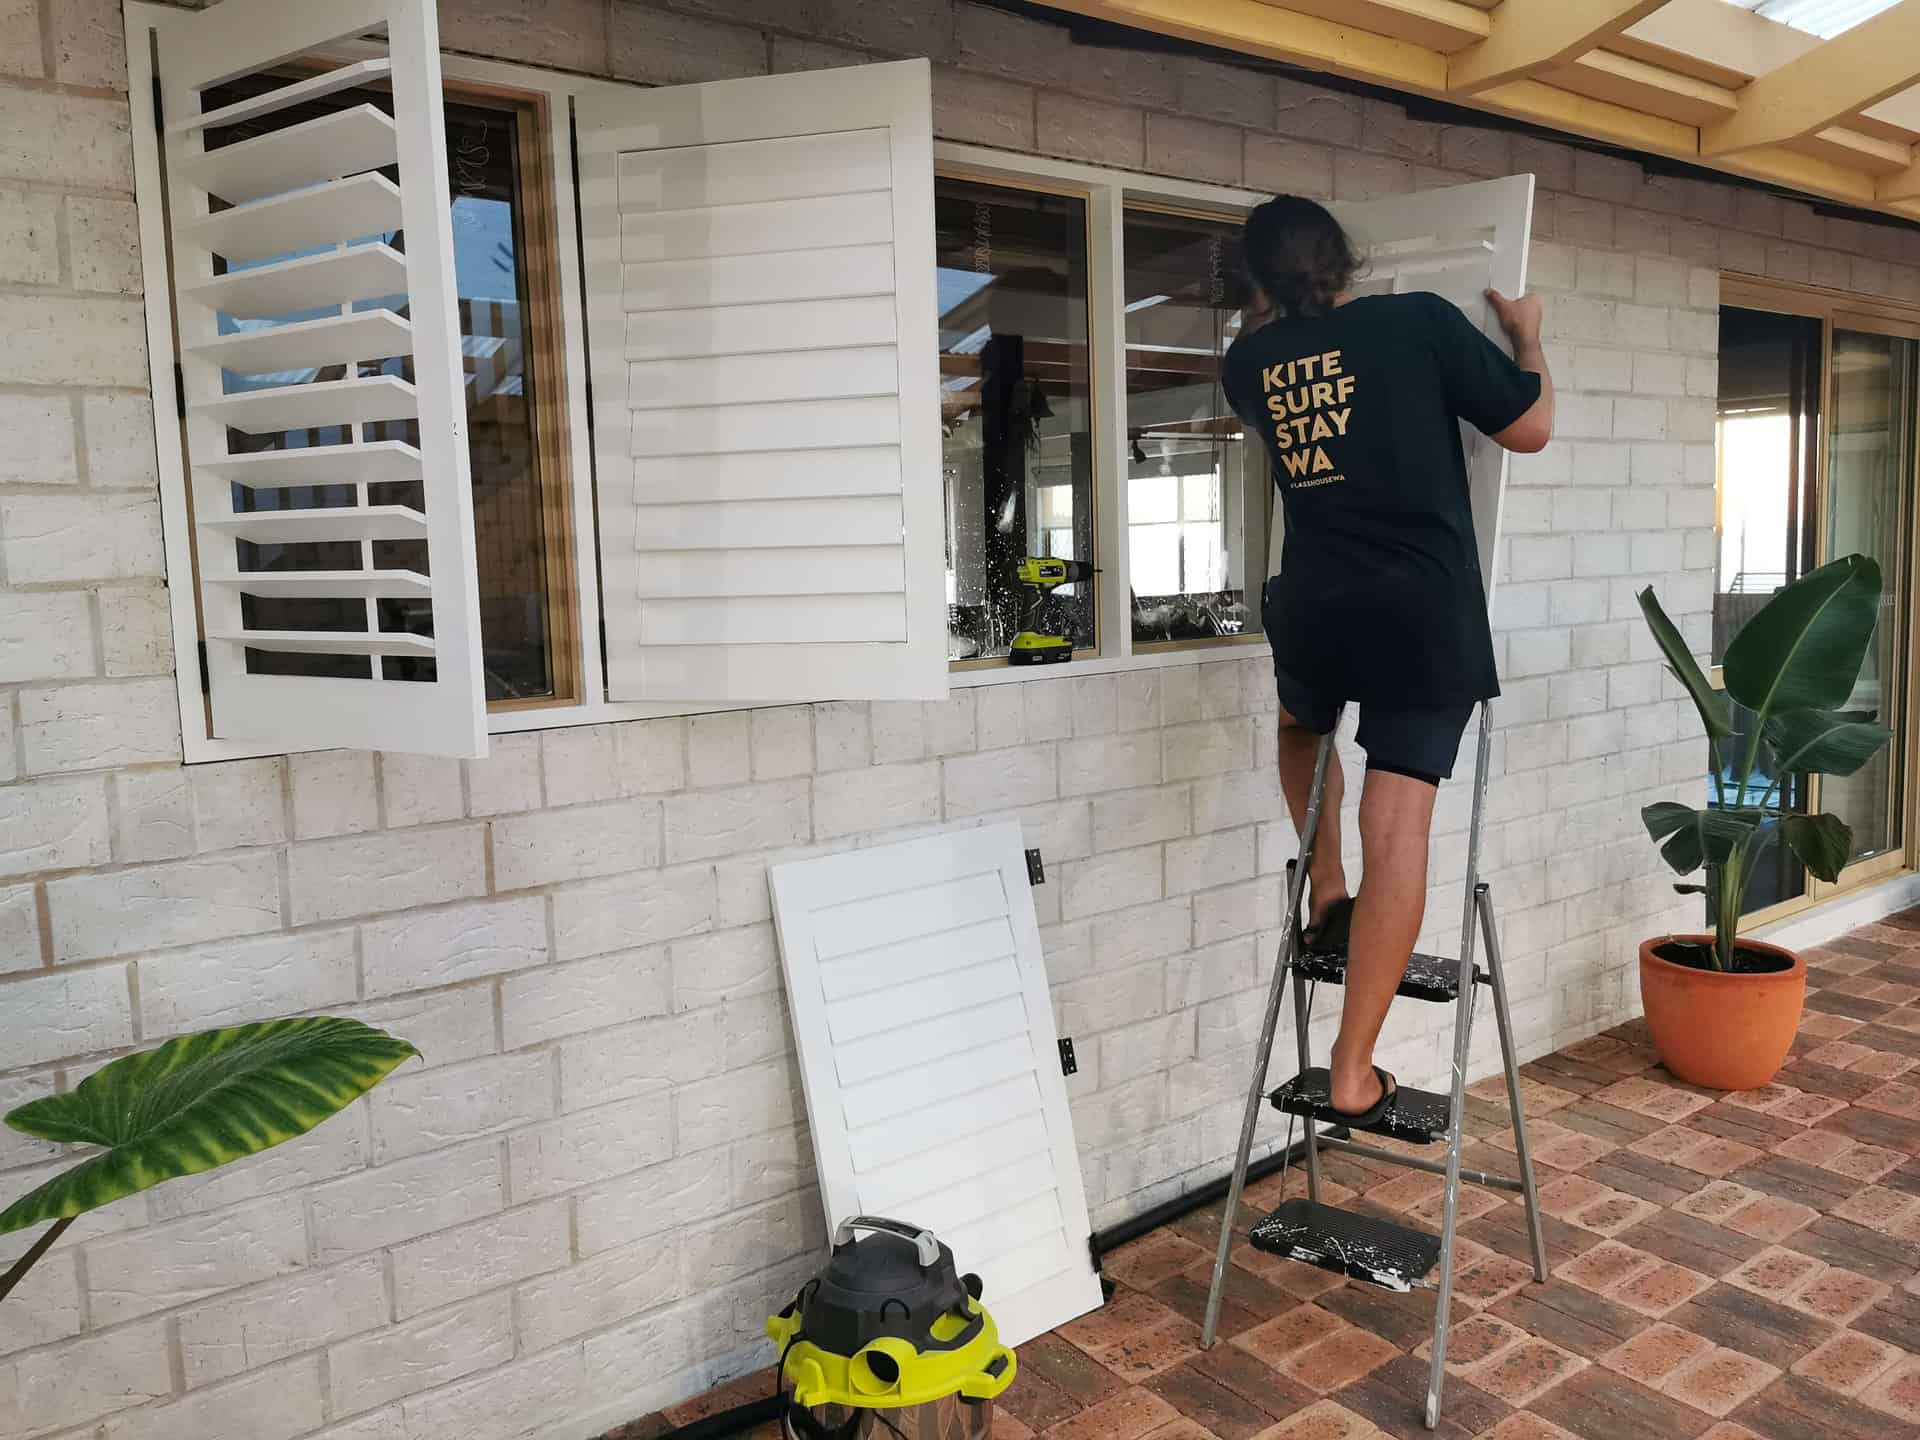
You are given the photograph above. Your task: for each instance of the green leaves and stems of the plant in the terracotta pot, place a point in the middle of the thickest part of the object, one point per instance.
(1792, 667)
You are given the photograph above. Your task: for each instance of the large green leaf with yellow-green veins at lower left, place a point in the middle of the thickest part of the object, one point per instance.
(199, 1103)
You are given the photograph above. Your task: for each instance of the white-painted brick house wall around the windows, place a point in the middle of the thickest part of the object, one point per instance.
(598, 1180)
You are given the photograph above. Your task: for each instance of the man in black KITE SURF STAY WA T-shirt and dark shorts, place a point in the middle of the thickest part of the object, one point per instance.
(1380, 598)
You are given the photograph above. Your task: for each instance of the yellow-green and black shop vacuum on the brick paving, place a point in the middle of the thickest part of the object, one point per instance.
(890, 1343)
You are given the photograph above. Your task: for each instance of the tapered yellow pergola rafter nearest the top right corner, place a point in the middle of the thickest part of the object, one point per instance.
(1852, 72)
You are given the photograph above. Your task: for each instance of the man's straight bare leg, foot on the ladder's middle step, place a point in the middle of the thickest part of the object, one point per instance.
(1395, 817)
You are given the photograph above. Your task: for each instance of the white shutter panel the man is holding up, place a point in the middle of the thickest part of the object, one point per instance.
(1456, 243)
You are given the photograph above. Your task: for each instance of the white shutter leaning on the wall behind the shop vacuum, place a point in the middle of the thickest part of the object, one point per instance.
(932, 1067)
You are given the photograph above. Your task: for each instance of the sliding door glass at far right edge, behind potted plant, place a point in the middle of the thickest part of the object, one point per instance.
(1869, 471)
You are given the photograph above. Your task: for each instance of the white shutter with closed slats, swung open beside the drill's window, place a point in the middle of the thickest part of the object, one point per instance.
(759, 270)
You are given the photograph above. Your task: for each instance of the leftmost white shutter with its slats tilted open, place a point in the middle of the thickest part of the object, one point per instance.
(322, 373)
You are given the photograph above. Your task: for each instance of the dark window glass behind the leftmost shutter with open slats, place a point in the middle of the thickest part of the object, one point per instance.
(512, 517)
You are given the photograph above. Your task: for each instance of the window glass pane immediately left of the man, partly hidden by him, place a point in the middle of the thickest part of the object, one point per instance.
(1199, 492)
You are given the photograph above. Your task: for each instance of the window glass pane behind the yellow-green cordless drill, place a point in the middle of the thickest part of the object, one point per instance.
(1017, 410)
